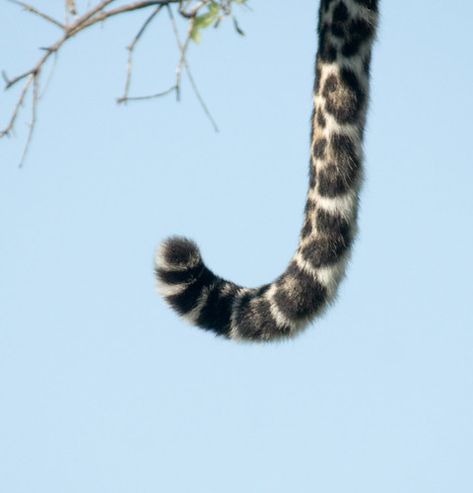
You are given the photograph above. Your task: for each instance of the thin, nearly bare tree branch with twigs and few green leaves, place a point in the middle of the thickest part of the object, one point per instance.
(190, 10)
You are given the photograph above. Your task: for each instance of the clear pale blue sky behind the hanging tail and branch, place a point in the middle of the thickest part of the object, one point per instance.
(103, 389)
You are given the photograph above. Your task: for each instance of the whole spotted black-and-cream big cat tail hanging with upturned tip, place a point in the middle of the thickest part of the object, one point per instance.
(281, 309)
